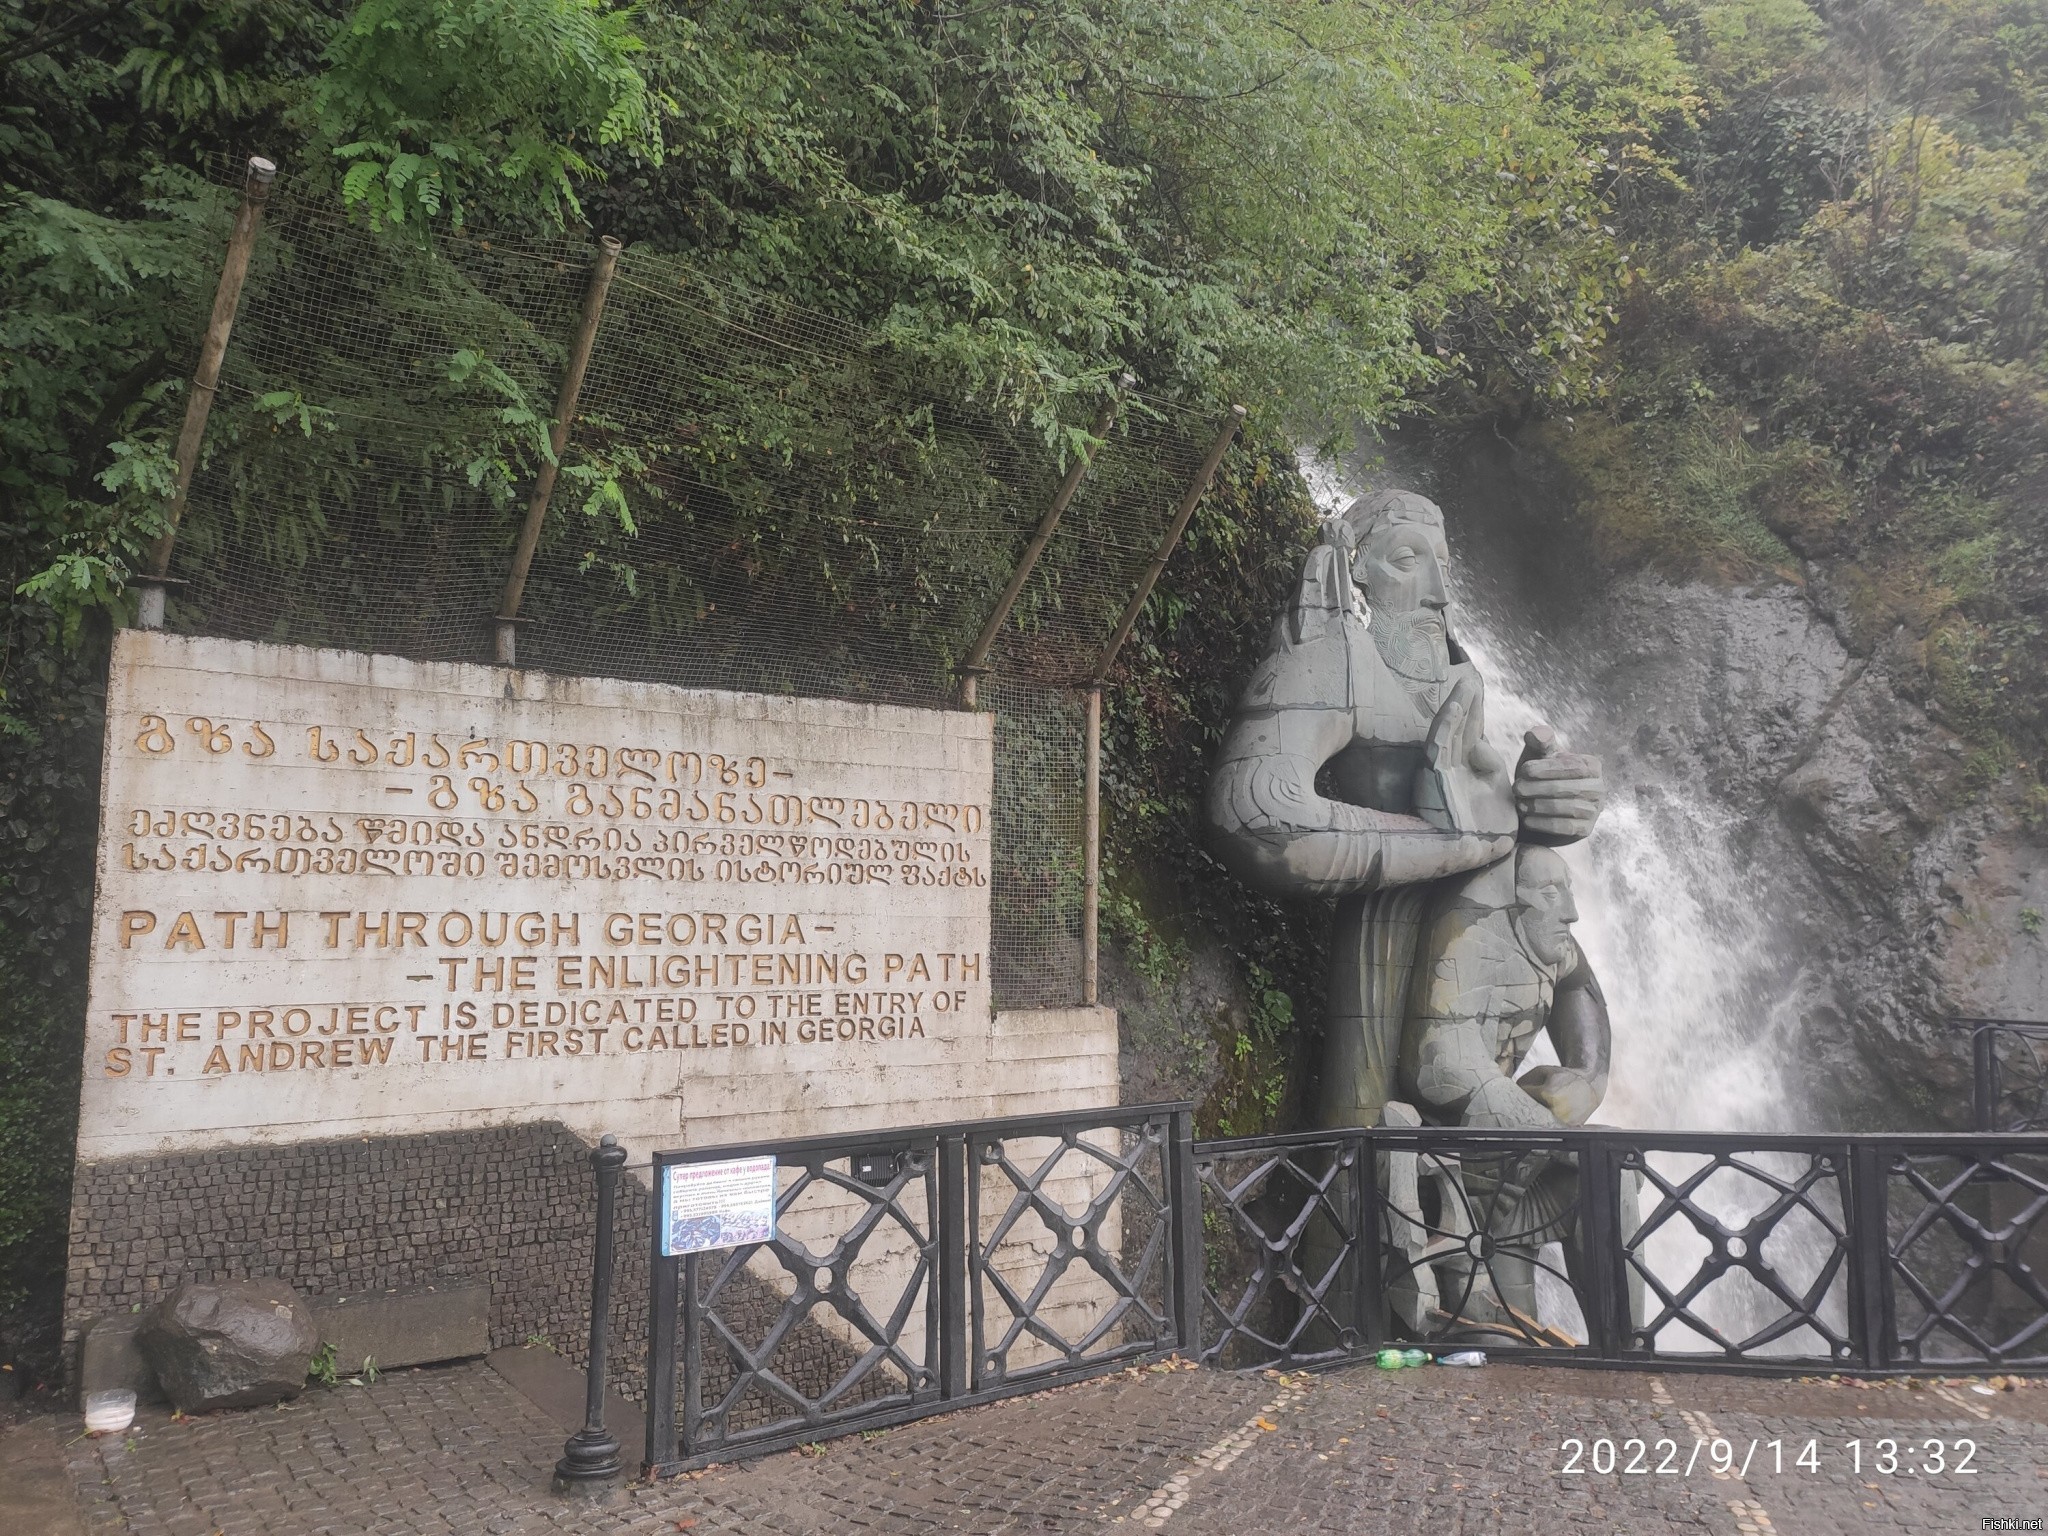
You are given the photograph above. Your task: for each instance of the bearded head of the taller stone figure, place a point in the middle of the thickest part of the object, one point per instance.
(1402, 560)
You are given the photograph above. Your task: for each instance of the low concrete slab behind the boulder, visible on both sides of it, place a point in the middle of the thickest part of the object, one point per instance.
(419, 1326)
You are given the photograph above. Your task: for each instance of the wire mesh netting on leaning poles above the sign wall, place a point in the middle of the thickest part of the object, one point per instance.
(755, 497)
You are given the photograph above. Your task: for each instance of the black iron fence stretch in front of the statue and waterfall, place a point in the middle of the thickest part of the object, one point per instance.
(1871, 1254)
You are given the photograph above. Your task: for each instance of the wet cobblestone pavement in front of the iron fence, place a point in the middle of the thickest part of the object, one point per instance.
(1193, 1453)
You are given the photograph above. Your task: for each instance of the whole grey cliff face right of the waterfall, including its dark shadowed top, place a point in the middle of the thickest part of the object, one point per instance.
(1895, 888)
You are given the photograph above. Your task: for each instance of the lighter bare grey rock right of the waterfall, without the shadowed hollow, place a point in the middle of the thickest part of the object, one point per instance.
(1895, 886)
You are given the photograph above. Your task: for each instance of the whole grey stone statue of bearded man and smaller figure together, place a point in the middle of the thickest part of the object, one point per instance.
(1357, 767)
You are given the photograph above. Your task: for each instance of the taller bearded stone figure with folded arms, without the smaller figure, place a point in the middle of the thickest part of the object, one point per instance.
(1357, 767)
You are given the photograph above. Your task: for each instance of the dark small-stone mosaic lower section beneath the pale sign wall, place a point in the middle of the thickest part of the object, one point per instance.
(511, 1207)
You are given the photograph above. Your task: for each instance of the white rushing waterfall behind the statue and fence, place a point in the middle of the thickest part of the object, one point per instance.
(1699, 990)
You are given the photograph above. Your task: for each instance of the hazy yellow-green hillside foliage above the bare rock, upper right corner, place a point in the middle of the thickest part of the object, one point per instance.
(1838, 355)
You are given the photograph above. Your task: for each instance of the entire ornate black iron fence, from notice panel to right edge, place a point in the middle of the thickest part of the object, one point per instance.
(931, 1269)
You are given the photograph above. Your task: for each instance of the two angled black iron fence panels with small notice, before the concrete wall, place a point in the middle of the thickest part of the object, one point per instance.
(916, 1271)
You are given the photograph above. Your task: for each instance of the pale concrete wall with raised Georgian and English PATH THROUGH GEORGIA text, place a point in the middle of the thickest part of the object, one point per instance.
(359, 896)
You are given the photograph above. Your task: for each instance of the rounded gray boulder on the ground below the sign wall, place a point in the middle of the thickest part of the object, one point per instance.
(237, 1345)
